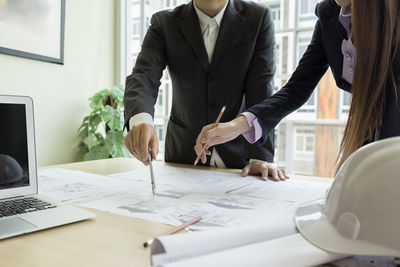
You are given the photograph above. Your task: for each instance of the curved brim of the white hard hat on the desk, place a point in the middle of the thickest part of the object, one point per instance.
(316, 228)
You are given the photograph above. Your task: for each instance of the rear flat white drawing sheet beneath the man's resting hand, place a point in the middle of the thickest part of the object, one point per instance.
(181, 181)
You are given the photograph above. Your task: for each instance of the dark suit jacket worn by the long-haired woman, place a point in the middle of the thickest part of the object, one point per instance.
(323, 51)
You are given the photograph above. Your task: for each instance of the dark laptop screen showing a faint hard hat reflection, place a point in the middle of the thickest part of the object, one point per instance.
(14, 169)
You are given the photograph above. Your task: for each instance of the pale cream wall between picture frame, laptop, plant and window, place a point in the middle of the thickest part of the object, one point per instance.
(60, 92)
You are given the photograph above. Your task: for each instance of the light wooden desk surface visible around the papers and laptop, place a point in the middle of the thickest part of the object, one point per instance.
(107, 240)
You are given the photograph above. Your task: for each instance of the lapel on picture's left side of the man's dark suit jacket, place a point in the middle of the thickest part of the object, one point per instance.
(190, 28)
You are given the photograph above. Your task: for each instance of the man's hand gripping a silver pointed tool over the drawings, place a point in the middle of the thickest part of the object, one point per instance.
(139, 139)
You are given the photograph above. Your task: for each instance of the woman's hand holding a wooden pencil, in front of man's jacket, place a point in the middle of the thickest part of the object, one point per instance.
(224, 132)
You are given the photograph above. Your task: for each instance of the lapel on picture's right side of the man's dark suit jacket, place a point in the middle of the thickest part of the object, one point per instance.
(229, 28)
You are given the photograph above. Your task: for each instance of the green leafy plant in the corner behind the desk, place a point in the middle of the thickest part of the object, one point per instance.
(101, 133)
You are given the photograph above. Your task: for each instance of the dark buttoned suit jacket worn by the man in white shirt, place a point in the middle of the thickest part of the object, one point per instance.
(240, 75)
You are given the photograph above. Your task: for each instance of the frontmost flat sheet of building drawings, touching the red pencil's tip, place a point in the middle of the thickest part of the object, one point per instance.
(218, 210)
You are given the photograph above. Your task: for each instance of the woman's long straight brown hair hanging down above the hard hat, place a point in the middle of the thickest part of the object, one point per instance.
(375, 27)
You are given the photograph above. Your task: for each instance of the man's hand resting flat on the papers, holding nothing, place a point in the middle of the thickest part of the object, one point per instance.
(266, 170)
